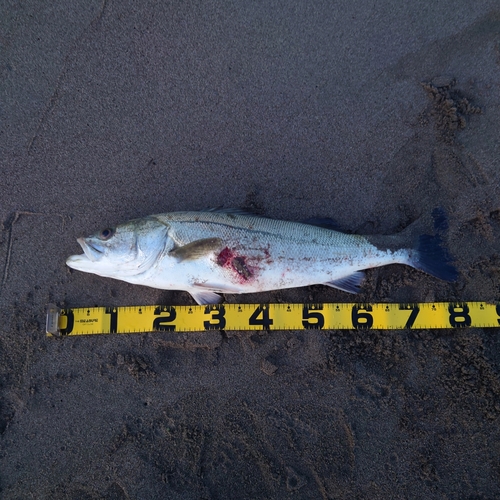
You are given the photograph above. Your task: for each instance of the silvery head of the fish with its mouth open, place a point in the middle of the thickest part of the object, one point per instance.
(126, 250)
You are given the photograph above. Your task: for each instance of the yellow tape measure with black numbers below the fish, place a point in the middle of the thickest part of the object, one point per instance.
(326, 316)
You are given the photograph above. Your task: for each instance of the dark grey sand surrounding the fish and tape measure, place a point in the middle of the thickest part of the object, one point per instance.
(114, 110)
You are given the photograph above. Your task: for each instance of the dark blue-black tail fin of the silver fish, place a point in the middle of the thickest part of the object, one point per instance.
(430, 255)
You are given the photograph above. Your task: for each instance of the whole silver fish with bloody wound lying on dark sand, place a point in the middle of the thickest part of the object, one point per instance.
(230, 251)
